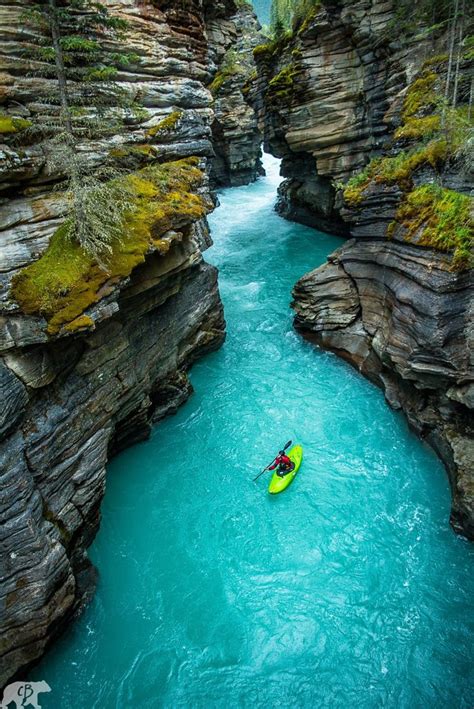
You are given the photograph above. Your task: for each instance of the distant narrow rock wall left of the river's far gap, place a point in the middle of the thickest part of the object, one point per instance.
(236, 134)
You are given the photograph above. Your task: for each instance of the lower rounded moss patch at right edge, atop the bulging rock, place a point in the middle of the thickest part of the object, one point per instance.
(440, 219)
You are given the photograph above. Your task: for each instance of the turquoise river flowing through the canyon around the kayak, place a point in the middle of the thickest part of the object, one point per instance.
(348, 590)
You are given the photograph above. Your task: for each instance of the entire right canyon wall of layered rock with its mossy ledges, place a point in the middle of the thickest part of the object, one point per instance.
(397, 308)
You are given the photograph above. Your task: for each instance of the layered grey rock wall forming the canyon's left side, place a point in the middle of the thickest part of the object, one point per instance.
(78, 391)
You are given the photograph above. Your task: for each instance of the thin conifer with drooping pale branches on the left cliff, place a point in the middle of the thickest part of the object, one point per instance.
(86, 101)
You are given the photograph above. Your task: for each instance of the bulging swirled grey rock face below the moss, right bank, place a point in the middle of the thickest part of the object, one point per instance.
(404, 319)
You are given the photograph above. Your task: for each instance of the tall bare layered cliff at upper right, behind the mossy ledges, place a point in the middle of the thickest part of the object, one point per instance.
(325, 92)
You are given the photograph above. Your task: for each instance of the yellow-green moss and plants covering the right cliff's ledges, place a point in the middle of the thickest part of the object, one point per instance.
(435, 131)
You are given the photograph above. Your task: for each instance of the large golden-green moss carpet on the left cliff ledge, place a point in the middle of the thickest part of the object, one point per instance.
(66, 281)
